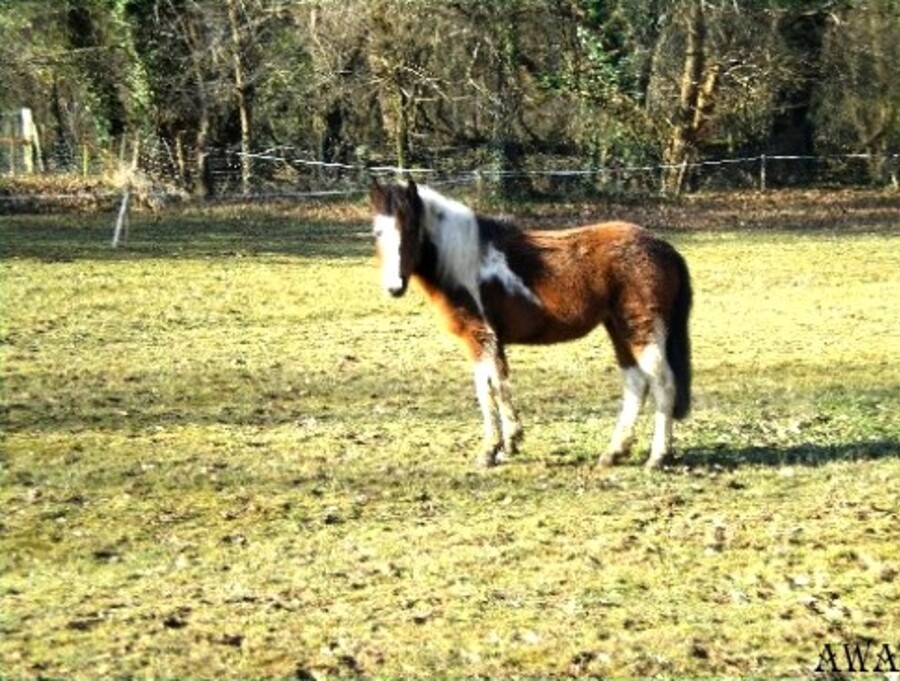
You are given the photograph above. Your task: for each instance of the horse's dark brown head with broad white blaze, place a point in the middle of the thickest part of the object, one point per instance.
(398, 233)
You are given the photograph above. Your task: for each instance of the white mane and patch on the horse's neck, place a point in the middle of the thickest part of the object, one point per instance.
(453, 229)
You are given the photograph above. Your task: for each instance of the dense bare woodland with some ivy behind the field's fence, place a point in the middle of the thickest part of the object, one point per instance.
(236, 95)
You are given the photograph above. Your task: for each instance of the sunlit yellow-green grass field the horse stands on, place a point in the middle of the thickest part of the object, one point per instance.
(227, 454)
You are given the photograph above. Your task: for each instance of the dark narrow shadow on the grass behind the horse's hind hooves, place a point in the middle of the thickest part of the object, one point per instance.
(807, 454)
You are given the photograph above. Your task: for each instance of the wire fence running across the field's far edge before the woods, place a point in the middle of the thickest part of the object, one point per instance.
(159, 172)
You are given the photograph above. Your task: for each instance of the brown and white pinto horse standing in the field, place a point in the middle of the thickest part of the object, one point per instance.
(495, 284)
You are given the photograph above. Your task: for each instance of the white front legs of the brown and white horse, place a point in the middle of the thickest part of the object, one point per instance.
(502, 429)
